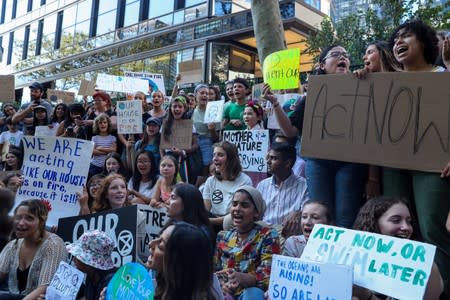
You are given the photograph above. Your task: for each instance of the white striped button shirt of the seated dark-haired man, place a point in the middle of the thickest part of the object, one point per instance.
(282, 199)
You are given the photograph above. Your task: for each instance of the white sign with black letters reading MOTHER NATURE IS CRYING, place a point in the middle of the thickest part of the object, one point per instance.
(252, 145)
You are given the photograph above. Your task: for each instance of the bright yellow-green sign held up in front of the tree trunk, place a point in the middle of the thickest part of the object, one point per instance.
(281, 69)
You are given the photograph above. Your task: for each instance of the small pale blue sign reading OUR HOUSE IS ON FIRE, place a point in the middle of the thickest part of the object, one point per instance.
(129, 116)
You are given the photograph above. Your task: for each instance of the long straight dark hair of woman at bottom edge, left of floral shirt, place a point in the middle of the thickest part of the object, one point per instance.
(187, 249)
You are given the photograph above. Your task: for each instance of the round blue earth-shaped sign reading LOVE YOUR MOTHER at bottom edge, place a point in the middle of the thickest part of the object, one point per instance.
(131, 281)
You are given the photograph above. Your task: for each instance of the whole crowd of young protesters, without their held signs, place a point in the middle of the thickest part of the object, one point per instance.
(225, 223)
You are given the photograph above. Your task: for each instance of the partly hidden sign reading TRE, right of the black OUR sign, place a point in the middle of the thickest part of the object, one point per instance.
(154, 220)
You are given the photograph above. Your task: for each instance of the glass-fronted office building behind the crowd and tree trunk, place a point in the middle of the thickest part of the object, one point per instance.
(61, 42)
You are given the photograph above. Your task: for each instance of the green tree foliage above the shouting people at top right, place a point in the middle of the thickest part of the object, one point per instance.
(356, 31)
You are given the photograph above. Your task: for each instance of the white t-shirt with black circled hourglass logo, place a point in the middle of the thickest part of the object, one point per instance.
(221, 192)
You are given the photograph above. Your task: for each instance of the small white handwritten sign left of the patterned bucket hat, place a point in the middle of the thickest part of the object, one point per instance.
(65, 283)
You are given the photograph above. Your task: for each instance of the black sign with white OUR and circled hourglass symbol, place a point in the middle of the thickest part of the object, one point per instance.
(120, 224)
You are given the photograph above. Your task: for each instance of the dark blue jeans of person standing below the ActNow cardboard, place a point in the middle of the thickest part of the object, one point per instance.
(340, 184)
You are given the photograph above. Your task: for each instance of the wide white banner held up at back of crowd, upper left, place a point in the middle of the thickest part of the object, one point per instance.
(121, 84)
